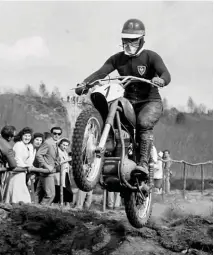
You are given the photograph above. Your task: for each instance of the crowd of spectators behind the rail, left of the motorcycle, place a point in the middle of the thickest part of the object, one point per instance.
(30, 166)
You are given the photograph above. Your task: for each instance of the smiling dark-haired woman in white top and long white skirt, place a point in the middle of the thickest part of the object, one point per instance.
(24, 155)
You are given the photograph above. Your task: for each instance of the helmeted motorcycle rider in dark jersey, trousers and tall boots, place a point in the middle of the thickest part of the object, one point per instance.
(136, 61)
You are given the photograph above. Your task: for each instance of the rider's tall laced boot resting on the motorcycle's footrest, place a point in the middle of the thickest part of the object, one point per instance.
(145, 149)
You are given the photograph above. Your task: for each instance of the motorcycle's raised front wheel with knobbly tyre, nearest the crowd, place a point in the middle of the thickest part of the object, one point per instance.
(86, 166)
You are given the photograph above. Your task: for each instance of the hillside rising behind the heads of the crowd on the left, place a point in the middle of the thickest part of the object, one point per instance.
(37, 113)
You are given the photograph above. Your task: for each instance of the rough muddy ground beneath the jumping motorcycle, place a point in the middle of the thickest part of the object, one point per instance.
(177, 226)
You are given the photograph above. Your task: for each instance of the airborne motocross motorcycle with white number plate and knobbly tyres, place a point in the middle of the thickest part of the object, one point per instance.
(105, 148)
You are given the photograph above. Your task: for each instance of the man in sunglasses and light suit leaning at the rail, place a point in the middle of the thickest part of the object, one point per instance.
(48, 157)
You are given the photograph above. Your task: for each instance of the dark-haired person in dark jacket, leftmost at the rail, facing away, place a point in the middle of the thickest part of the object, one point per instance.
(7, 159)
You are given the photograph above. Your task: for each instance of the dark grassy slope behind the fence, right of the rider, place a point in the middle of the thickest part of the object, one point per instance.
(191, 141)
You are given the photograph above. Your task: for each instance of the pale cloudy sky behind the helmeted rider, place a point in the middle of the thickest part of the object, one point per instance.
(61, 43)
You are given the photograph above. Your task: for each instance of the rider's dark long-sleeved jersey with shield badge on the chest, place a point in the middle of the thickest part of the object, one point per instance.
(147, 65)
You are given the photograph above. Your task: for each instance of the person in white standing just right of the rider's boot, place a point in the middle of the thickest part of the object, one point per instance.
(158, 173)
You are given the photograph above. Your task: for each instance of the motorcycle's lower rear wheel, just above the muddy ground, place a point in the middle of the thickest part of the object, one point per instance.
(138, 210)
